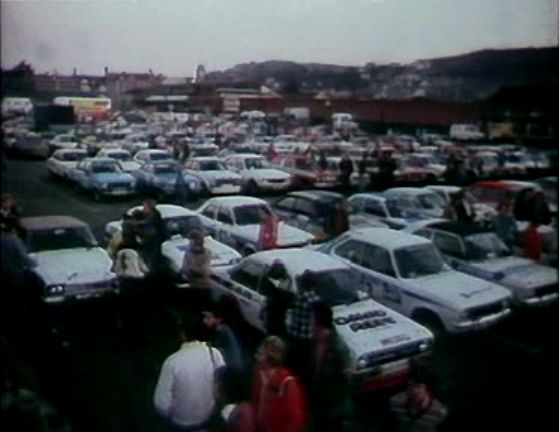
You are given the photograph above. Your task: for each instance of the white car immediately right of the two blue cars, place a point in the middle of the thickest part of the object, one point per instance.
(216, 178)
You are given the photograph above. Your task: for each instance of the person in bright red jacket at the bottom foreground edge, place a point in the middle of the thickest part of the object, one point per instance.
(277, 396)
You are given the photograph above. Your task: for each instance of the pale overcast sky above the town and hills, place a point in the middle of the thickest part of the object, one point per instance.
(172, 36)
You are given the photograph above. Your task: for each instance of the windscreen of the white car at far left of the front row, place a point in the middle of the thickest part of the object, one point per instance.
(59, 238)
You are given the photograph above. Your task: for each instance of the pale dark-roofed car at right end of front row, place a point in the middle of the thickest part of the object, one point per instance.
(479, 252)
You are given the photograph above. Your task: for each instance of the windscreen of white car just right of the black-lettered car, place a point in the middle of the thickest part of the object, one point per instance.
(418, 260)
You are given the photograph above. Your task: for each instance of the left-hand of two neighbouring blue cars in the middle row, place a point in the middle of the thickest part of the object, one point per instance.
(102, 177)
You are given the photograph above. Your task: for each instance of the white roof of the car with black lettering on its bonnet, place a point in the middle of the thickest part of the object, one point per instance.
(297, 260)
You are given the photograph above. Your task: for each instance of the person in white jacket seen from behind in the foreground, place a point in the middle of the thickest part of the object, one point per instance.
(185, 391)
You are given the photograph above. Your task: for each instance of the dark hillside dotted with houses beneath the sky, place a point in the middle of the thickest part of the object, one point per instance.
(468, 77)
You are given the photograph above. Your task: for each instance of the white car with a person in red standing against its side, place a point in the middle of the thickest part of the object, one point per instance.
(235, 220)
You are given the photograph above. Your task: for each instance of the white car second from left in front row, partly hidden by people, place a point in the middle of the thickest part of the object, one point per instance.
(179, 221)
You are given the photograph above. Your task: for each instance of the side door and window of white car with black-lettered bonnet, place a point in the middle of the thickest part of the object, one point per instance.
(246, 280)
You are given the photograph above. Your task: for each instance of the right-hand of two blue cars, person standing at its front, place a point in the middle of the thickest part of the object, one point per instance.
(160, 179)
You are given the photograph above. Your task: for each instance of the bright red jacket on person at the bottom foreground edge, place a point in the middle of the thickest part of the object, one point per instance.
(278, 402)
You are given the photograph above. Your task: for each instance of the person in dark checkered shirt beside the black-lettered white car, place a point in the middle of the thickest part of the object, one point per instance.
(300, 327)
